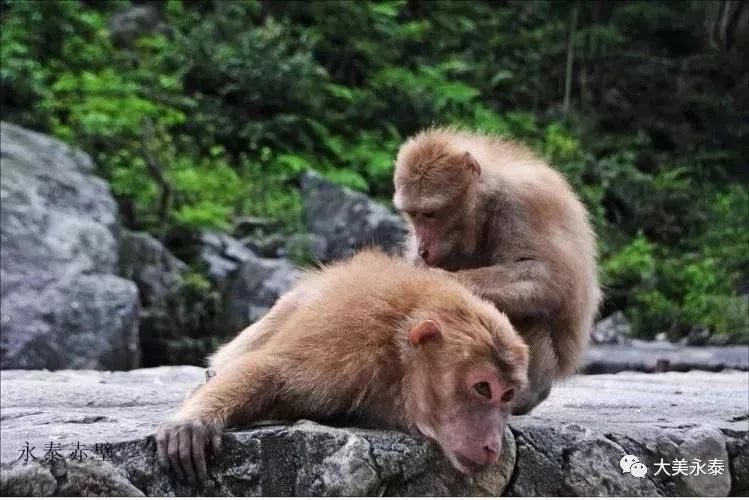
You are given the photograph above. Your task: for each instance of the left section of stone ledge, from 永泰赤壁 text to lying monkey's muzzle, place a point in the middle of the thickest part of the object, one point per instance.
(120, 411)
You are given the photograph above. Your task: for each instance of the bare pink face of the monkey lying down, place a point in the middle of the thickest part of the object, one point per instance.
(472, 422)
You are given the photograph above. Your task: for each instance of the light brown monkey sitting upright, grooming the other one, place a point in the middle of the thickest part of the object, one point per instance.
(507, 225)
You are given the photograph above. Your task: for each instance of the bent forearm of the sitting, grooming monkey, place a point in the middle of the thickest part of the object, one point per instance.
(520, 289)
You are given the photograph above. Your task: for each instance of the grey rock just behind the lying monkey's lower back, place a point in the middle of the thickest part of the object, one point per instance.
(253, 289)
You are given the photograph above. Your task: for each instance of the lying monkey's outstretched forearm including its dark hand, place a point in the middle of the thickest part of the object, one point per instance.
(243, 392)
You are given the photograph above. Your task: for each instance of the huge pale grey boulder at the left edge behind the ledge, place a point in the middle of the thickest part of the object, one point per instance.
(63, 306)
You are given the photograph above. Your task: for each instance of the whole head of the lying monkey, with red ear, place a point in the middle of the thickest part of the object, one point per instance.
(468, 372)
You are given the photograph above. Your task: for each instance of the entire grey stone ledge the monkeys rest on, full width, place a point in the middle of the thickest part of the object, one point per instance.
(570, 445)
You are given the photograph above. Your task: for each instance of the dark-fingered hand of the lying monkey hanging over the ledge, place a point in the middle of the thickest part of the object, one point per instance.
(182, 446)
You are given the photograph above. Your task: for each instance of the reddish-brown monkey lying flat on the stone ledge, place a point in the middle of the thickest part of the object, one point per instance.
(374, 341)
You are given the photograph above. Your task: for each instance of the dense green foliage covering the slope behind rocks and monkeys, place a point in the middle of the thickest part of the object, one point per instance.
(215, 115)
